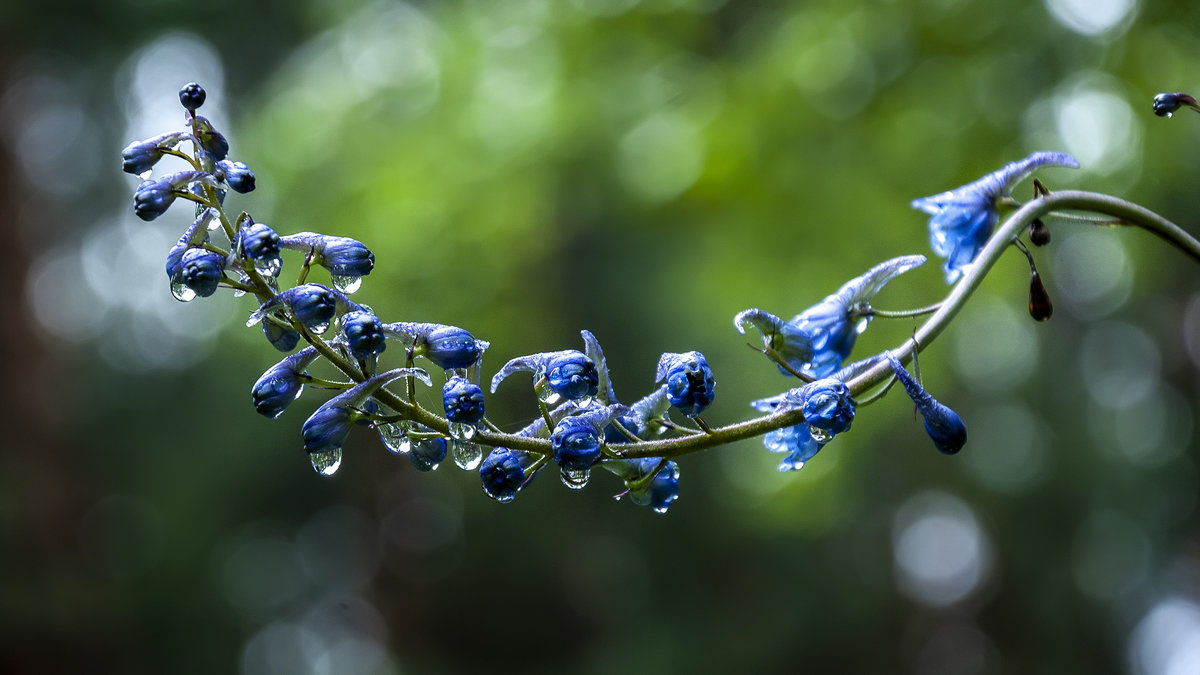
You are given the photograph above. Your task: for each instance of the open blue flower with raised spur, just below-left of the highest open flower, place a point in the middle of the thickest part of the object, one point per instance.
(817, 342)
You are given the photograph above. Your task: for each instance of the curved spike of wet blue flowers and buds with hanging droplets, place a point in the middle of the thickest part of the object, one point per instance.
(583, 425)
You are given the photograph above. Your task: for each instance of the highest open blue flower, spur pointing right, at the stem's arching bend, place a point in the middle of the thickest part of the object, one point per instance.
(963, 219)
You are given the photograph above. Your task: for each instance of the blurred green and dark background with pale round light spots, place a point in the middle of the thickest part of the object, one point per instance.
(644, 170)
